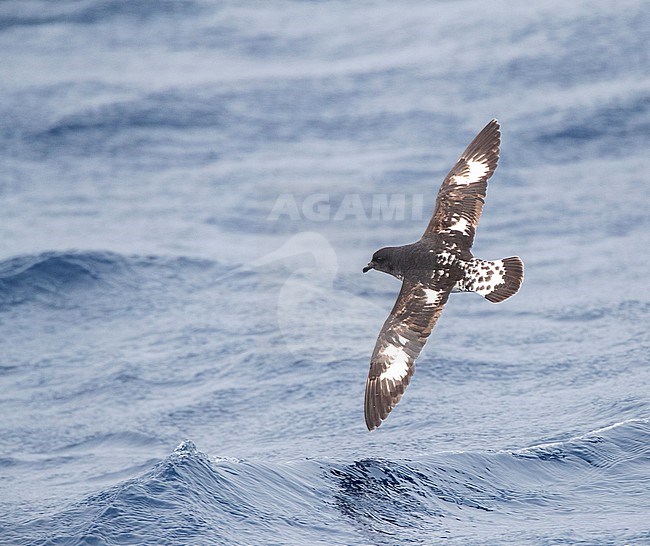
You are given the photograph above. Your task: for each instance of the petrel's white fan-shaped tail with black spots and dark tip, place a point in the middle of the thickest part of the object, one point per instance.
(494, 280)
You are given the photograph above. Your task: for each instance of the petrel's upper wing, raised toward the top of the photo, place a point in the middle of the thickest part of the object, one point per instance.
(460, 200)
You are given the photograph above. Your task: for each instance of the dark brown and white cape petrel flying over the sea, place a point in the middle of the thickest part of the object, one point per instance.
(433, 267)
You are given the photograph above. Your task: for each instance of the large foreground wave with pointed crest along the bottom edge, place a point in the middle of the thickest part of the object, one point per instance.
(190, 496)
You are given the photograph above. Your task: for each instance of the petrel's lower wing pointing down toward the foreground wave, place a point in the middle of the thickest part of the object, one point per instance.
(399, 343)
